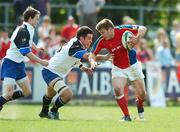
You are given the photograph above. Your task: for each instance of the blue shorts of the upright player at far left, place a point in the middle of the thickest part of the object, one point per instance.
(12, 69)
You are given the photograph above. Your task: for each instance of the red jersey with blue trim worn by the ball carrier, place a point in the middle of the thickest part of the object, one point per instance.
(123, 58)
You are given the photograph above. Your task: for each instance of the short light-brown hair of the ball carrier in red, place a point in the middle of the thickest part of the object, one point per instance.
(104, 24)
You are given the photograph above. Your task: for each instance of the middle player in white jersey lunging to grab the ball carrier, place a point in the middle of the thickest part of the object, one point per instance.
(60, 64)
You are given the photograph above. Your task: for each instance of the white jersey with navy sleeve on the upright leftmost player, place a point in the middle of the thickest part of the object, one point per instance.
(21, 42)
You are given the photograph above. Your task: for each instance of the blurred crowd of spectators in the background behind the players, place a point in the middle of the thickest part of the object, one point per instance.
(163, 46)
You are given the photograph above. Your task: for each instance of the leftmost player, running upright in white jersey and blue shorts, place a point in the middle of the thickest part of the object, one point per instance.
(13, 67)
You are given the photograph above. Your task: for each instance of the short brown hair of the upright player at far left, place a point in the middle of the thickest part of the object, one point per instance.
(30, 12)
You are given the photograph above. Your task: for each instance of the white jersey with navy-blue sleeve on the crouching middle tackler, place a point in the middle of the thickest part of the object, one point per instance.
(67, 57)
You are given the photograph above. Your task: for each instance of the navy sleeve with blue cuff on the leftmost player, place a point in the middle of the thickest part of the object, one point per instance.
(22, 41)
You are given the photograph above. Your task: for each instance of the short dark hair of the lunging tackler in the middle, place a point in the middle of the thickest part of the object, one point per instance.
(83, 31)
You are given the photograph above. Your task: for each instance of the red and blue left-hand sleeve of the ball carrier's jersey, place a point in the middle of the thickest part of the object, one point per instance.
(97, 46)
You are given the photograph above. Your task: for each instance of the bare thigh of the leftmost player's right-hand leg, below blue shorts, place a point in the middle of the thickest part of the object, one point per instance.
(24, 84)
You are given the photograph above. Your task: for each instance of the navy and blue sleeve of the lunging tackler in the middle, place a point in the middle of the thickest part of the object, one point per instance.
(77, 51)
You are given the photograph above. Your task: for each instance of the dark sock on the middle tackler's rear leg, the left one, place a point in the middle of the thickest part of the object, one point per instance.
(46, 103)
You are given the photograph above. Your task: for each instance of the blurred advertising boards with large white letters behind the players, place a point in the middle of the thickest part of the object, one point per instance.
(161, 84)
